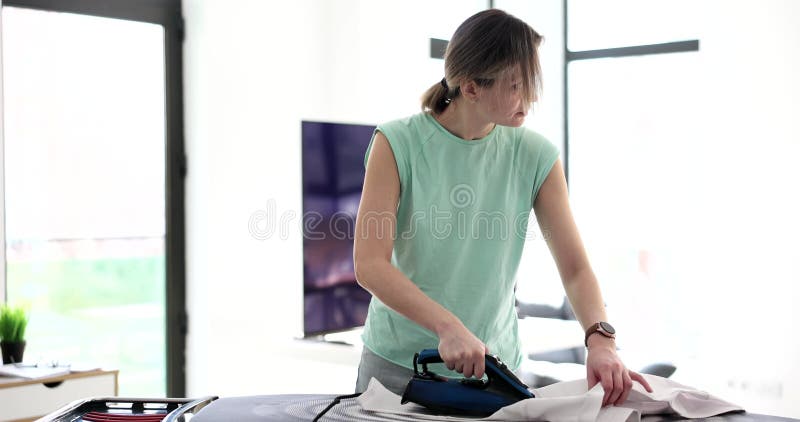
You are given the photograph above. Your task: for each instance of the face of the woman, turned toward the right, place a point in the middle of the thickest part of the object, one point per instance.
(503, 102)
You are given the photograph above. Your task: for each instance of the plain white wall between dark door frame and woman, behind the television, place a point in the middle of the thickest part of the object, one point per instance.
(253, 71)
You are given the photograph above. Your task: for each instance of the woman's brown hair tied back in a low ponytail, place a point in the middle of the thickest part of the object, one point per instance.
(483, 46)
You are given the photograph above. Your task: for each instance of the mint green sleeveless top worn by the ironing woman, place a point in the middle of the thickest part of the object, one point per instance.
(462, 222)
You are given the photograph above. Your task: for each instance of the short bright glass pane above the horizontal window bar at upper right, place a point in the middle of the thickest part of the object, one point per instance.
(620, 23)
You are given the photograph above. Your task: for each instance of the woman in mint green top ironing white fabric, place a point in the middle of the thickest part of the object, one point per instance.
(440, 227)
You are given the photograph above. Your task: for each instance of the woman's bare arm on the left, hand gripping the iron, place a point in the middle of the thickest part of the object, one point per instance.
(374, 239)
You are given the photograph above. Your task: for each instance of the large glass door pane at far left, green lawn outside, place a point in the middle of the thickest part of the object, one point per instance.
(85, 144)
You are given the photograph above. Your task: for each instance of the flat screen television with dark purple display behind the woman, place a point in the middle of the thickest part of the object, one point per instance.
(333, 176)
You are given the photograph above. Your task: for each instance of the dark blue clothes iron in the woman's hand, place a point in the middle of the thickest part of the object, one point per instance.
(467, 396)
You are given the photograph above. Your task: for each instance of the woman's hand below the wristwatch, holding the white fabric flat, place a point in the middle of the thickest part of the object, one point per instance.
(604, 366)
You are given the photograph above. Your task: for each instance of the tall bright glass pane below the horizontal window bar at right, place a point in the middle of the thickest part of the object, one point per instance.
(635, 163)
